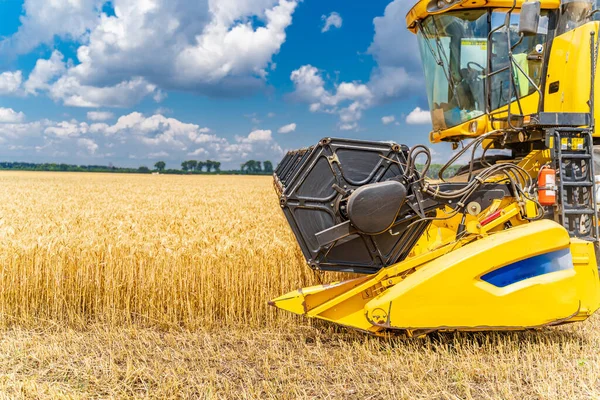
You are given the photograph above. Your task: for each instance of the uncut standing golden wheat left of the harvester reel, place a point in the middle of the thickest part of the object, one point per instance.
(184, 251)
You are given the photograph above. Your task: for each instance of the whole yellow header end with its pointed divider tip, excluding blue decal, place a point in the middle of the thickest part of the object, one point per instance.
(443, 289)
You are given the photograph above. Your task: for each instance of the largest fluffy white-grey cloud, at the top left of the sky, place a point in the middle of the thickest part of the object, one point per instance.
(215, 47)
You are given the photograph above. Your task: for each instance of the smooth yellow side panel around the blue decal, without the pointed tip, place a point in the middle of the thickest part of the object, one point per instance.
(449, 292)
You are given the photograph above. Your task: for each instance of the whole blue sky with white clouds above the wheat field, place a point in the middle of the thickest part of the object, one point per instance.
(131, 82)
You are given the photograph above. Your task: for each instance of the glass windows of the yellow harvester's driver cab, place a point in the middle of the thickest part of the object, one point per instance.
(454, 50)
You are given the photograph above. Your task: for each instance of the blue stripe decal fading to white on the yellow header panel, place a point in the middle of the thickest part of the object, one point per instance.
(534, 266)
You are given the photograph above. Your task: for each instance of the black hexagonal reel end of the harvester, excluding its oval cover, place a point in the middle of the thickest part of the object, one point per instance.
(311, 183)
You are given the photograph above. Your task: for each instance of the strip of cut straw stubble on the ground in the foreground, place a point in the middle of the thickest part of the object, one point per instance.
(313, 363)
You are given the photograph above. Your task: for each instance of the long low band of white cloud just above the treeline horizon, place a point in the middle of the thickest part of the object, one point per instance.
(132, 137)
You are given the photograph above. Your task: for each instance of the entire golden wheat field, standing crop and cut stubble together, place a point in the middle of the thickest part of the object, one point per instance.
(141, 286)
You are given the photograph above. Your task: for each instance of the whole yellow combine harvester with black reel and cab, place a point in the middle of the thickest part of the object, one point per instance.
(511, 241)
